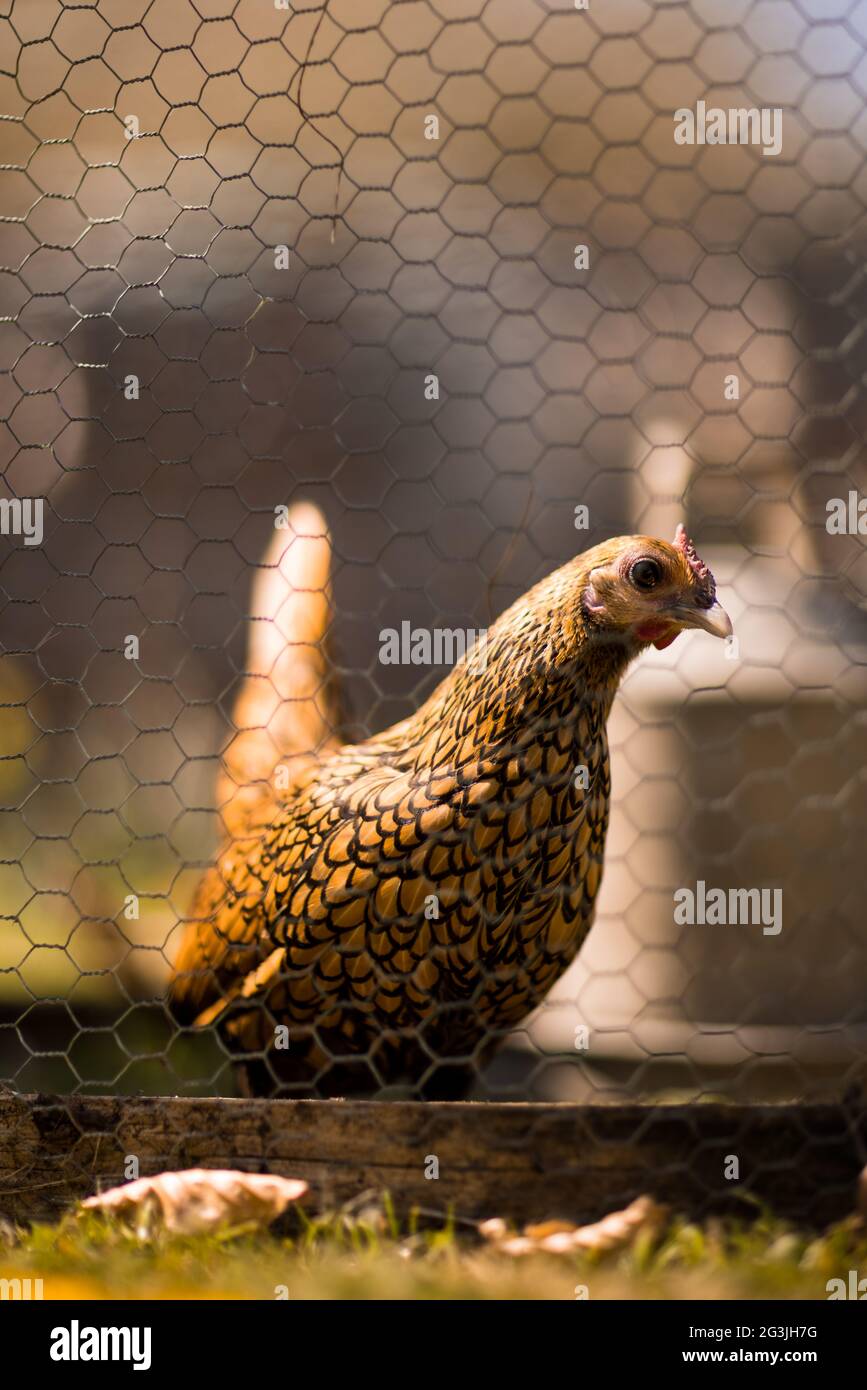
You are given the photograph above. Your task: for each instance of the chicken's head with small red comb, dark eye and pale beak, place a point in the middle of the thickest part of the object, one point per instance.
(650, 591)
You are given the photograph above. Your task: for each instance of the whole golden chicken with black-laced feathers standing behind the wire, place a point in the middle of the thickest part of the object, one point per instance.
(386, 913)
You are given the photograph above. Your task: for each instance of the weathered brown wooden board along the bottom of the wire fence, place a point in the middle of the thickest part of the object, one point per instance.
(525, 1161)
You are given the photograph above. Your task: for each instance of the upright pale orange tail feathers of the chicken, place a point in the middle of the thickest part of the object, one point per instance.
(287, 705)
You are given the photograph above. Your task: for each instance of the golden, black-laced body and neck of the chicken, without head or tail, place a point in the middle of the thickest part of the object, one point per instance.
(404, 903)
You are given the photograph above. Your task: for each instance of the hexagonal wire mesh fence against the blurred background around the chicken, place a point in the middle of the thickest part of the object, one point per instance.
(444, 269)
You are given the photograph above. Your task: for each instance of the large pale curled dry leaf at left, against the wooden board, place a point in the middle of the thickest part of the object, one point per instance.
(201, 1200)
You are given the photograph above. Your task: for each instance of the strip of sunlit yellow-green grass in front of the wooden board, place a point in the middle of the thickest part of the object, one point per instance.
(373, 1256)
